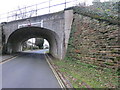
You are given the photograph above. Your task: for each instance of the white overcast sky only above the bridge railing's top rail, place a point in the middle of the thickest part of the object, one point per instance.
(9, 5)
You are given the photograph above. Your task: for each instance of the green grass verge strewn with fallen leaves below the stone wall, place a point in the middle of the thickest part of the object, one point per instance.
(82, 75)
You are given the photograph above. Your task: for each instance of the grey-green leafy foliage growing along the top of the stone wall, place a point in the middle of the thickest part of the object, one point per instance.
(106, 11)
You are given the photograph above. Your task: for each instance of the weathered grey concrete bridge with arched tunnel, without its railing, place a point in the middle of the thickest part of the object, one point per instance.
(53, 27)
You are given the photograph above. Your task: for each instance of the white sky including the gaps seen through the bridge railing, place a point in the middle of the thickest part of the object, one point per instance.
(11, 5)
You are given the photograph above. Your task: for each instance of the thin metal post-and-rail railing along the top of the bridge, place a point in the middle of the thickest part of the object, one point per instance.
(42, 8)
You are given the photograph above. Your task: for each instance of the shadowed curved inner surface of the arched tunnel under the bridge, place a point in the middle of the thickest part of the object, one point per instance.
(16, 39)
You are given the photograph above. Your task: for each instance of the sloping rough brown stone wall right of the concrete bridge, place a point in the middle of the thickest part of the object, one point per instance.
(94, 42)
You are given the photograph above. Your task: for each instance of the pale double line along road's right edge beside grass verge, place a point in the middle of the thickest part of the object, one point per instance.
(56, 75)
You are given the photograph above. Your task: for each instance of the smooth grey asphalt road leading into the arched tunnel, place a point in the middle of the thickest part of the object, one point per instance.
(29, 70)
